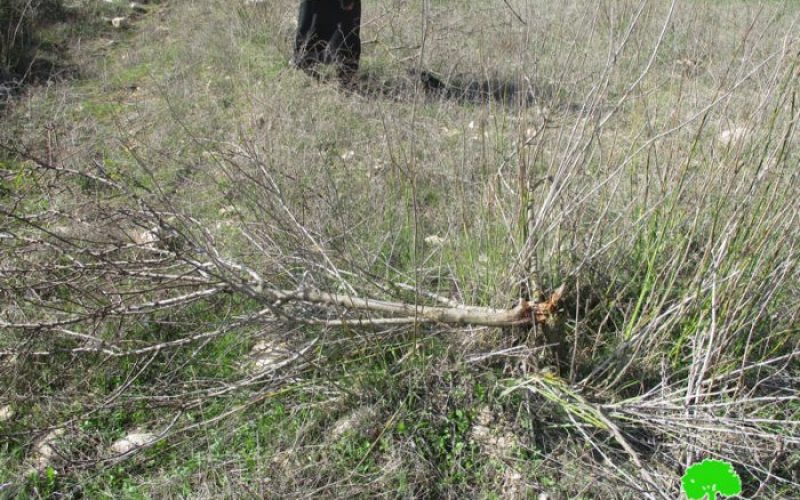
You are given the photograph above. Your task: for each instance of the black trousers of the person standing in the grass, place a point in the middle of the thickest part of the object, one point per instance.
(328, 32)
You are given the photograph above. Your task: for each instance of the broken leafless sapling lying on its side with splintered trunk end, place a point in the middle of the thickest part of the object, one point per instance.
(76, 269)
